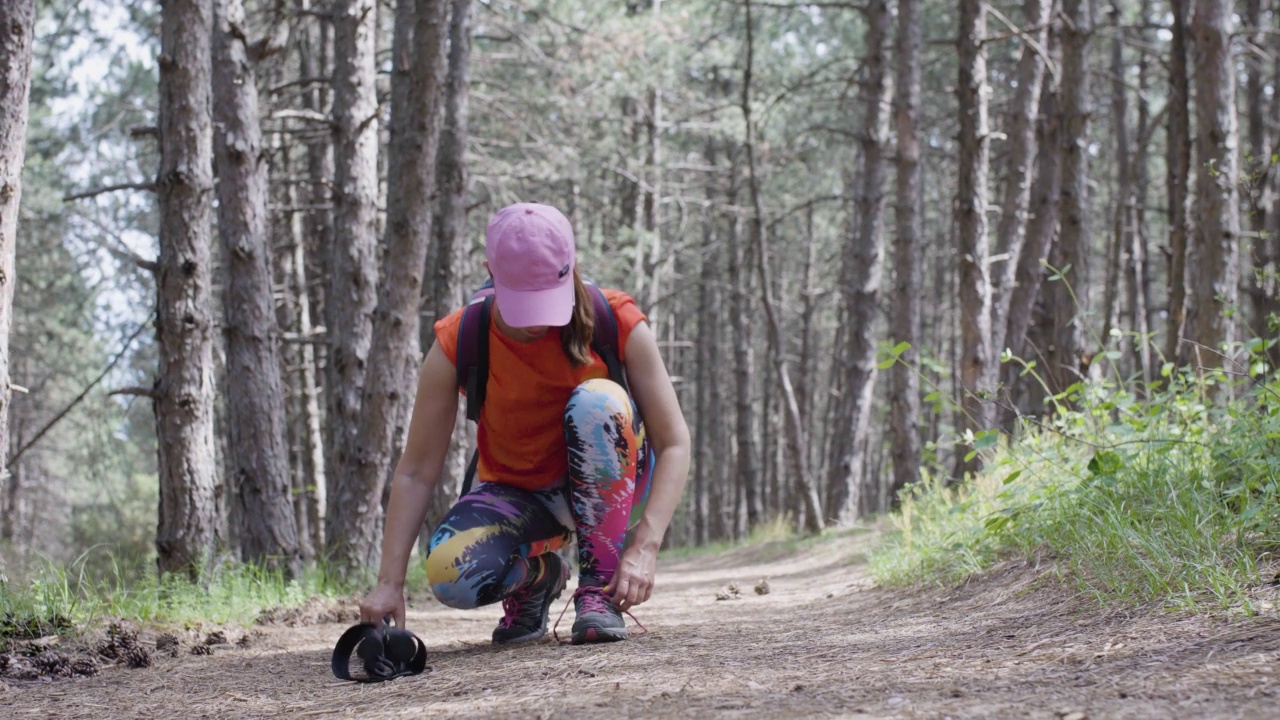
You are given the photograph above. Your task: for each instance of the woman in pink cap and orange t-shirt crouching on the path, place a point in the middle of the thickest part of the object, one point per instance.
(560, 452)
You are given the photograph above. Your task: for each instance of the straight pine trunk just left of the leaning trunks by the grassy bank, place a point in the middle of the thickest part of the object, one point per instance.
(976, 354)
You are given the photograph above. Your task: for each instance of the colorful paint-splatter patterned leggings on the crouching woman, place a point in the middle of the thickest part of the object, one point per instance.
(492, 541)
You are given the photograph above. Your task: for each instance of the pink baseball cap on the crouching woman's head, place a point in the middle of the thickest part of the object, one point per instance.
(532, 258)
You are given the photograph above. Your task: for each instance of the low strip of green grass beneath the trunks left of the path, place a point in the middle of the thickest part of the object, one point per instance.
(57, 599)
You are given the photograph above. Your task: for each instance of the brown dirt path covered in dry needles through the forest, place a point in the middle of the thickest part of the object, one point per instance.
(822, 644)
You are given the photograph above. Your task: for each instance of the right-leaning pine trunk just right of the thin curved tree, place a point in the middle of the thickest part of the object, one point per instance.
(861, 280)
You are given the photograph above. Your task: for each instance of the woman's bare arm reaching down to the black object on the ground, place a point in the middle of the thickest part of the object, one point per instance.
(417, 476)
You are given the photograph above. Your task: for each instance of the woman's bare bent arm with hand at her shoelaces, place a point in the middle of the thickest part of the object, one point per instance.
(668, 431)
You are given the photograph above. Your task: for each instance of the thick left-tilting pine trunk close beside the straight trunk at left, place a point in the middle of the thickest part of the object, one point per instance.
(259, 455)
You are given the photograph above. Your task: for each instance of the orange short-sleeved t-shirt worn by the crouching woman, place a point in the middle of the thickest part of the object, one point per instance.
(522, 431)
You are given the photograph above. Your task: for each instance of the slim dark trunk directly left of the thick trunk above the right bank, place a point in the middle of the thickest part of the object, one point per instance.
(1178, 163)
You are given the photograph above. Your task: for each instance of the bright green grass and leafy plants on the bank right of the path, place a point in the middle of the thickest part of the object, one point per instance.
(1172, 500)
